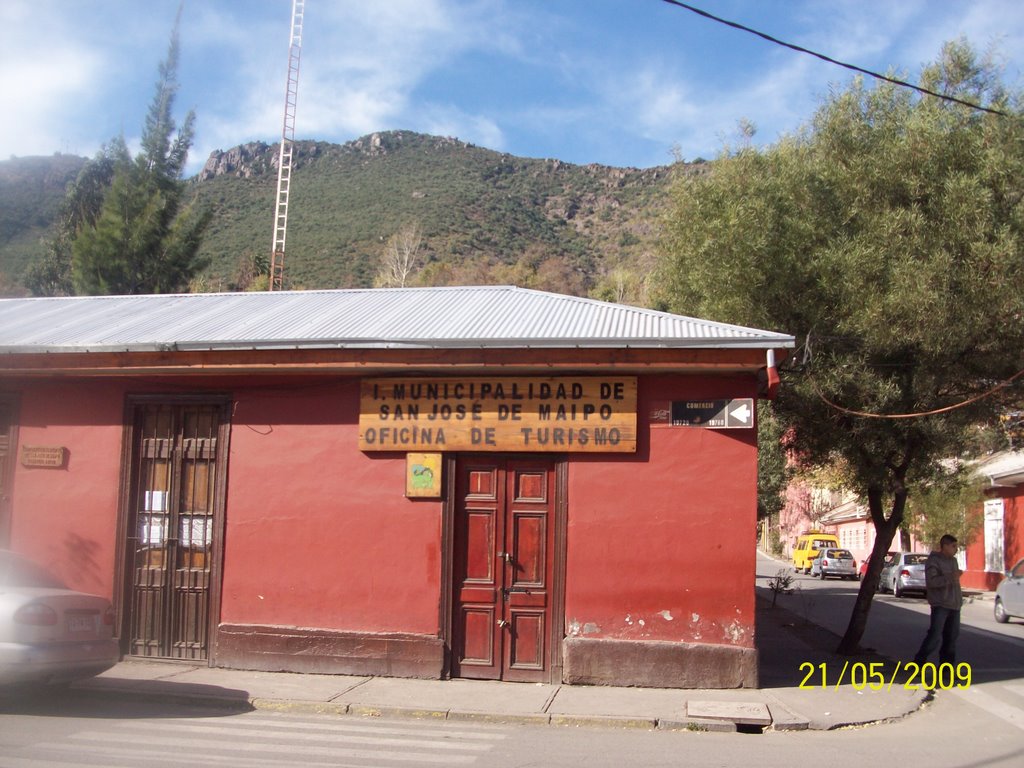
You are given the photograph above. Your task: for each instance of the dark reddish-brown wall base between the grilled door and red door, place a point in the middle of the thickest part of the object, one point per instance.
(323, 652)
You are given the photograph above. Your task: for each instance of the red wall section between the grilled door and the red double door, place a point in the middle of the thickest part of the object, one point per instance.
(320, 534)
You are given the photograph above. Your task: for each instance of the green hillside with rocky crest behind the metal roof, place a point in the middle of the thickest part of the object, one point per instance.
(485, 217)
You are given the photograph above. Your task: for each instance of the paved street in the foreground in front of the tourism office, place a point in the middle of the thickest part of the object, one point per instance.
(82, 730)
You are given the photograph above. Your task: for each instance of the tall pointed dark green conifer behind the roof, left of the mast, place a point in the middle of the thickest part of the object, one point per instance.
(147, 236)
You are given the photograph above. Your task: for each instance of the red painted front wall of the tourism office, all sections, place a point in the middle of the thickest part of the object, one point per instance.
(320, 535)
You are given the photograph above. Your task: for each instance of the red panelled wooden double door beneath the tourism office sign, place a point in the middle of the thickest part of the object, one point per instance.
(504, 608)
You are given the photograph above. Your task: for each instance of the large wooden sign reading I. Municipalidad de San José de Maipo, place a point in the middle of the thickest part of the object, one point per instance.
(523, 415)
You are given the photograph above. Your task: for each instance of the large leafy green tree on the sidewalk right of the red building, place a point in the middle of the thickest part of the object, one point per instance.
(888, 236)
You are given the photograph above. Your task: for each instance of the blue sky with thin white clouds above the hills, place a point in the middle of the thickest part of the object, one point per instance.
(617, 82)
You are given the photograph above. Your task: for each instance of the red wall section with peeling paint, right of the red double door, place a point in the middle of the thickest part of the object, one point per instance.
(662, 545)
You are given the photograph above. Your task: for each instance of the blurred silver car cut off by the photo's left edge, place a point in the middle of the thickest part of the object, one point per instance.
(49, 633)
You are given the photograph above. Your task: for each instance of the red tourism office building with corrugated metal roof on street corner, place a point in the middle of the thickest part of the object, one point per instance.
(480, 483)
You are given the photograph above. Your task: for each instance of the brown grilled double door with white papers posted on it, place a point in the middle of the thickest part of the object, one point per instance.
(170, 531)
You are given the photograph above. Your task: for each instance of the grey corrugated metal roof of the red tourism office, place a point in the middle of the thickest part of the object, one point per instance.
(420, 318)
